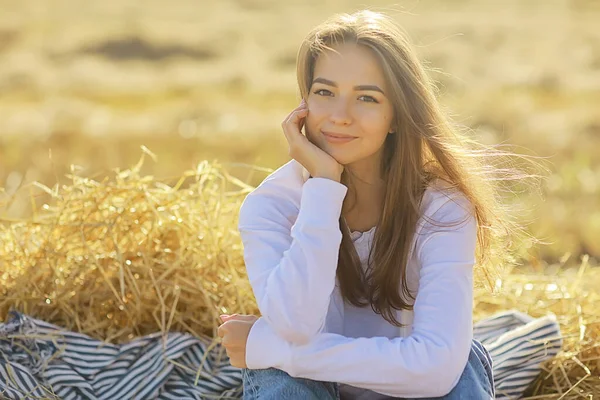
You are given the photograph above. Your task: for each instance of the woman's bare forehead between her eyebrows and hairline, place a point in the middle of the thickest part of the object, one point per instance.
(351, 64)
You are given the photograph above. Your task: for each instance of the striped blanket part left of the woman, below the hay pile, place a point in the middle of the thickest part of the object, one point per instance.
(39, 360)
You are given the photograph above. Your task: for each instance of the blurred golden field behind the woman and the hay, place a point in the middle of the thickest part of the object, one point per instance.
(87, 83)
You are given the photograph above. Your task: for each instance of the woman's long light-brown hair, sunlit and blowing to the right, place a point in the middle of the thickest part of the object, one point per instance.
(425, 146)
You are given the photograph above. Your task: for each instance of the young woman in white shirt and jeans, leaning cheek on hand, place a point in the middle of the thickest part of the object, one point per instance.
(361, 250)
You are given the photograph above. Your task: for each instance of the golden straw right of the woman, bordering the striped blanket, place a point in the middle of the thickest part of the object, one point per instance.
(572, 295)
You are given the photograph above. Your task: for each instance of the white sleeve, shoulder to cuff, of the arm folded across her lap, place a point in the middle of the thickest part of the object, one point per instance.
(430, 361)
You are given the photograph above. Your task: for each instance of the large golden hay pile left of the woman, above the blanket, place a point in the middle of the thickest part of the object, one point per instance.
(129, 256)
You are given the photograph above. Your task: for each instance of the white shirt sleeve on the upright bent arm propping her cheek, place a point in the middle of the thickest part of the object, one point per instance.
(292, 269)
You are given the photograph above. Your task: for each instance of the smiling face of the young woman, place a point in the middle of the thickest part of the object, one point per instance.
(348, 98)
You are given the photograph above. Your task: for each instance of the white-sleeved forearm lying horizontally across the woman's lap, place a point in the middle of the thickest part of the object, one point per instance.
(400, 367)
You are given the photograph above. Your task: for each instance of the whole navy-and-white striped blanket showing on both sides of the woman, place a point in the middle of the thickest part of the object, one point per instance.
(41, 361)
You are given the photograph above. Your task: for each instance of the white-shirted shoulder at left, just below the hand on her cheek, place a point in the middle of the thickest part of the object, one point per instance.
(278, 194)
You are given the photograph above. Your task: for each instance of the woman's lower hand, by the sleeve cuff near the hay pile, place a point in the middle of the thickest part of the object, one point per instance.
(234, 334)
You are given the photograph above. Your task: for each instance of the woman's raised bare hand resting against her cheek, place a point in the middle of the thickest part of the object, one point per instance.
(316, 161)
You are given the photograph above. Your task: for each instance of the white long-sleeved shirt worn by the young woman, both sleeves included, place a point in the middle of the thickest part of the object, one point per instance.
(289, 226)
